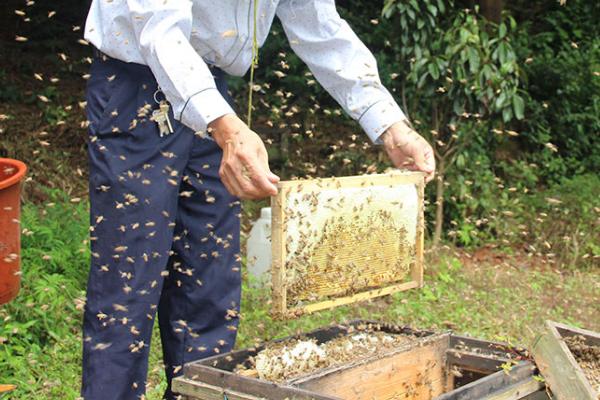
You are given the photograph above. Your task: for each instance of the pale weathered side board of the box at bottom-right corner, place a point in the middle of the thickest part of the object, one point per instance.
(563, 375)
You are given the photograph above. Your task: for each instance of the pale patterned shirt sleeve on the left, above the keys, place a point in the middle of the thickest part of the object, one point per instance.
(162, 29)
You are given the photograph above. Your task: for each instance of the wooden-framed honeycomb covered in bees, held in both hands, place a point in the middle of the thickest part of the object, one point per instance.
(341, 240)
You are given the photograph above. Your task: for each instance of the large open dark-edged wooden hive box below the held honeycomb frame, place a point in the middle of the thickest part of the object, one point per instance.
(439, 366)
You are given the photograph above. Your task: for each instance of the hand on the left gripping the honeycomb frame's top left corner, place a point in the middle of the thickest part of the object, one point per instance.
(245, 165)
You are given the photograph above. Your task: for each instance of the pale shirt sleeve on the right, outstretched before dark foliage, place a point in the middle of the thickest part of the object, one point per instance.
(340, 62)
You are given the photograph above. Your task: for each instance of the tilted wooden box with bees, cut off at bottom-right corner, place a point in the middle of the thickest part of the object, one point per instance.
(562, 368)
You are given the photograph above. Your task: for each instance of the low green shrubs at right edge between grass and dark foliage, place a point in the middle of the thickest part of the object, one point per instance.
(560, 224)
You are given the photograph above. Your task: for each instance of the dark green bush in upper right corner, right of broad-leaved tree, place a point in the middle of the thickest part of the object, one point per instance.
(562, 53)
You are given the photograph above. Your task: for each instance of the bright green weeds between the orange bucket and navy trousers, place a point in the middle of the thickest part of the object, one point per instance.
(40, 333)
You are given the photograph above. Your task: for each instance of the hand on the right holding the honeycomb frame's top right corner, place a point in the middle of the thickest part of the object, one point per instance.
(407, 149)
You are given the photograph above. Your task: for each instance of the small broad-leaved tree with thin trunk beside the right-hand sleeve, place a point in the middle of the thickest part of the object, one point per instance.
(463, 82)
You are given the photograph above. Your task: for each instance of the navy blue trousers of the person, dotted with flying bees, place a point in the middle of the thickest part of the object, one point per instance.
(164, 238)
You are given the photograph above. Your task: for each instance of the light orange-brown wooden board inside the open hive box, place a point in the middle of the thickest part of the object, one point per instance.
(416, 373)
